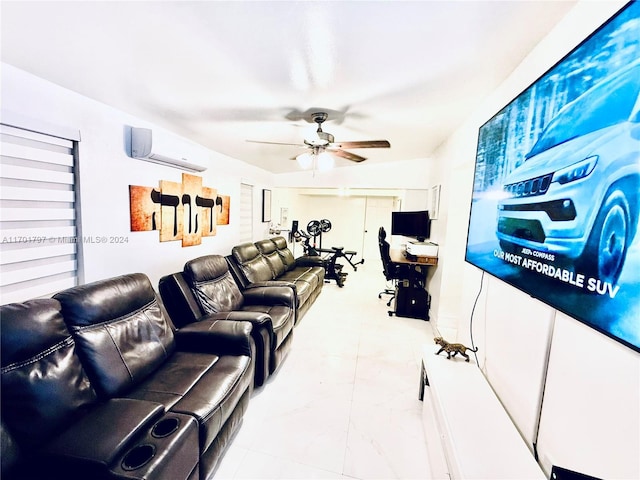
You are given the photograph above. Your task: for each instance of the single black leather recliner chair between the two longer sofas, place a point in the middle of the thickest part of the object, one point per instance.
(206, 290)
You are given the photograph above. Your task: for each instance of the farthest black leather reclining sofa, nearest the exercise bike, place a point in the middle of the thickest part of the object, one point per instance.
(270, 262)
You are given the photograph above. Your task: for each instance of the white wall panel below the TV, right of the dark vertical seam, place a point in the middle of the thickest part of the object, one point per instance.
(591, 415)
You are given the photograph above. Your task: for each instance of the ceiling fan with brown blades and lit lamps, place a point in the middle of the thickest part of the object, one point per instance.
(323, 142)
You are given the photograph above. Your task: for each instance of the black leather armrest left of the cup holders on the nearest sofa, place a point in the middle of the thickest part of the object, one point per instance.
(94, 442)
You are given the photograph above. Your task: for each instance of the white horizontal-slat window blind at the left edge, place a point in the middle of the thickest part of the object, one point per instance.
(38, 234)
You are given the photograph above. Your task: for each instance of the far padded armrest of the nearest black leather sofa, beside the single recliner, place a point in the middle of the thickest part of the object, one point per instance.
(220, 337)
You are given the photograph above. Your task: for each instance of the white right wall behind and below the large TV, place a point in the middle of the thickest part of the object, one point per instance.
(587, 384)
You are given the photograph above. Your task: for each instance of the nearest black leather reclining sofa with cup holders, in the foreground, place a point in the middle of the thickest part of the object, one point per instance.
(98, 384)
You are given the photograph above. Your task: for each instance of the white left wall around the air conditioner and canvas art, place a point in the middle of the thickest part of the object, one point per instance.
(106, 173)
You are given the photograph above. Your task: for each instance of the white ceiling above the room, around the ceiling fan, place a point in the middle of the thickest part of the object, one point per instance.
(221, 73)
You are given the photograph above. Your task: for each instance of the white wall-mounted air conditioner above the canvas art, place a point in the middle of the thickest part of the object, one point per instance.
(163, 149)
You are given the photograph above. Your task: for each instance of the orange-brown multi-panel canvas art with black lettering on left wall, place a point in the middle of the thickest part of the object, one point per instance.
(184, 211)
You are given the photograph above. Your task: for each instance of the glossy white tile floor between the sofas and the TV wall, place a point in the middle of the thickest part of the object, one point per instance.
(344, 404)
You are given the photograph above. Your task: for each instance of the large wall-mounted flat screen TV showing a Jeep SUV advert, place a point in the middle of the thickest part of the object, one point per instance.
(555, 201)
